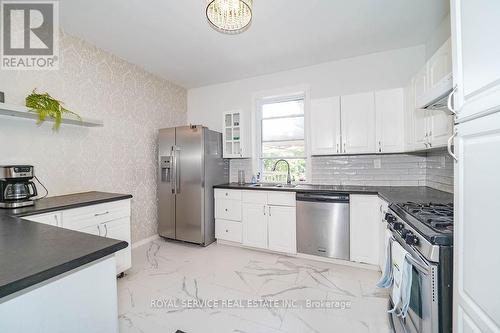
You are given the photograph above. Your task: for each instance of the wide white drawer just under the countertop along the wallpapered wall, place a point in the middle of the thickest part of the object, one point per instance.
(79, 218)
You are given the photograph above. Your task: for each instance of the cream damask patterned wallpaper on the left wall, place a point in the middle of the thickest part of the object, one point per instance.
(119, 157)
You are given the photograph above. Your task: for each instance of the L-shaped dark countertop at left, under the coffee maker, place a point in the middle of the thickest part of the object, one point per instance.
(32, 252)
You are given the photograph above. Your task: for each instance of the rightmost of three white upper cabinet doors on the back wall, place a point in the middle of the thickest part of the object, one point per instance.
(389, 110)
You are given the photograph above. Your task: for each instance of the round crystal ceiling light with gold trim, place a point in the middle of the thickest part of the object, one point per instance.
(229, 16)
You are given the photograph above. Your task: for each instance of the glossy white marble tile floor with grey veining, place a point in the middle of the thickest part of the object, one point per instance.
(174, 286)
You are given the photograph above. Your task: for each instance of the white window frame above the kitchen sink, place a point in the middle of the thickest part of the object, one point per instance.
(258, 129)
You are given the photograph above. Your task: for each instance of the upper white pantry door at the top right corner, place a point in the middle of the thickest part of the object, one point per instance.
(476, 53)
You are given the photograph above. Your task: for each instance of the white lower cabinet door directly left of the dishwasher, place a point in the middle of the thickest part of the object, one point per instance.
(282, 229)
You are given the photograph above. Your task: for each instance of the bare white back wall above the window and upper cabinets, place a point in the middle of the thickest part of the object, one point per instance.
(382, 70)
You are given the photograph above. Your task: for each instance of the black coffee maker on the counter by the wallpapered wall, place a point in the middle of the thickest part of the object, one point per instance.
(16, 186)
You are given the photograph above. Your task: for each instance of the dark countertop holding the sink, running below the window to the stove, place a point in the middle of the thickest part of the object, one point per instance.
(391, 194)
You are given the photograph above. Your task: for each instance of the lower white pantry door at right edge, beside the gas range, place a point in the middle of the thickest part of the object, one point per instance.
(476, 261)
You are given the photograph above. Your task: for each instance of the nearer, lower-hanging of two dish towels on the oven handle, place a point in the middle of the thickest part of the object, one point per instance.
(402, 280)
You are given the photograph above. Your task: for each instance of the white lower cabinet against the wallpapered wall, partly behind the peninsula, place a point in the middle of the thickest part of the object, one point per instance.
(111, 220)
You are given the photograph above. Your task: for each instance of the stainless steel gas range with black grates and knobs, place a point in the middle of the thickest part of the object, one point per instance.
(425, 231)
